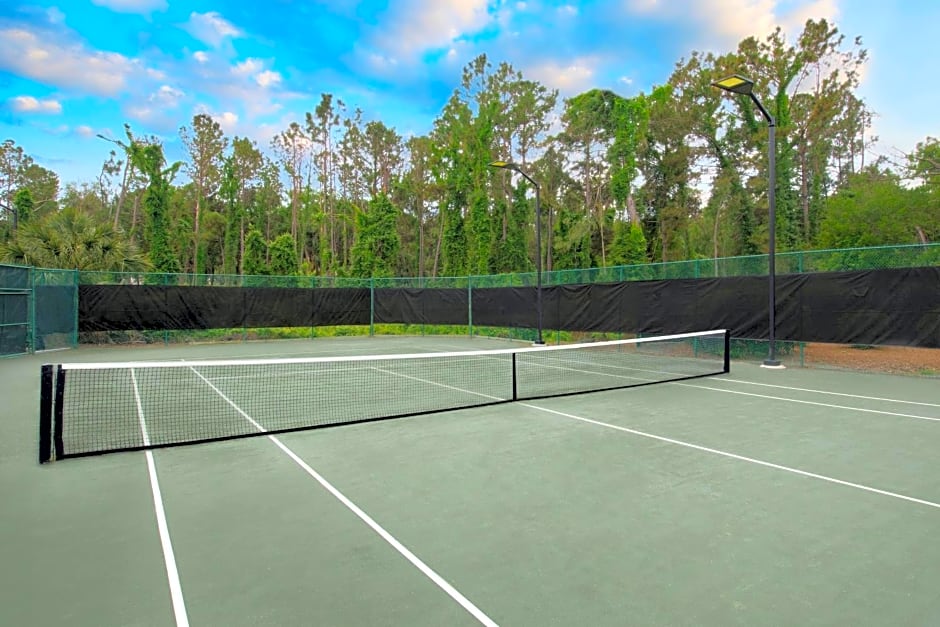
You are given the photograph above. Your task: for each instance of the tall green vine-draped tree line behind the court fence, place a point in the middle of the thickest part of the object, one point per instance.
(677, 173)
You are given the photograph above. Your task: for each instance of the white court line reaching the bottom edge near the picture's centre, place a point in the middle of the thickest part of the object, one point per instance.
(363, 516)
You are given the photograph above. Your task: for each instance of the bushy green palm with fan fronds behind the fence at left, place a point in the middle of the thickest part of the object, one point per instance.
(73, 240)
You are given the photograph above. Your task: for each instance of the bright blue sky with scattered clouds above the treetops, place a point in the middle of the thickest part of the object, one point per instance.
(72, 69)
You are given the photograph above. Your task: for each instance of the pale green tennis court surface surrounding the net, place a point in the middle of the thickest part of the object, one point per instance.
(758, 497)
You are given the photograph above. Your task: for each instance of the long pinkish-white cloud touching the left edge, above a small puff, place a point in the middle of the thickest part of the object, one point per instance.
(46, 60)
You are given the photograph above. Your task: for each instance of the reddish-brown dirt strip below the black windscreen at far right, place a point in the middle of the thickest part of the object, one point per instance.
(894, 359)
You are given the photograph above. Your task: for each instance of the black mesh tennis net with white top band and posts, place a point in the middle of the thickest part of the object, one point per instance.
(91, 408)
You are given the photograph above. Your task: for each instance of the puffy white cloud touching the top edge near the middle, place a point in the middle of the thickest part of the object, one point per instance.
(414, 26)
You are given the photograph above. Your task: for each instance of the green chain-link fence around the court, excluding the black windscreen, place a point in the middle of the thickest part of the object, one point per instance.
(50, 296)
